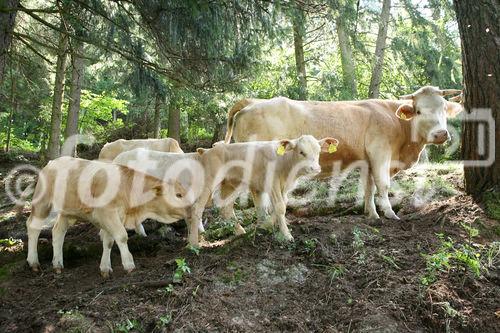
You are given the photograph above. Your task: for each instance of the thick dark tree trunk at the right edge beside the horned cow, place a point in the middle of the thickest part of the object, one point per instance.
(479, 30)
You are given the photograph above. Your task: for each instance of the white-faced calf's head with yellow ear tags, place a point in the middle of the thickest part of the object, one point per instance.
(306, 150)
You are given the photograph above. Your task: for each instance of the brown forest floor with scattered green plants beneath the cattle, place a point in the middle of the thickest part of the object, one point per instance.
(438, 269)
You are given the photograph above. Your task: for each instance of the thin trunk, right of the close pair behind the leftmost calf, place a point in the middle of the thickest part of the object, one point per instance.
(77, 75)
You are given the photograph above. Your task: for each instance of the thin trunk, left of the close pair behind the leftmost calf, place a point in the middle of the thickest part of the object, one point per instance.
(53, 150)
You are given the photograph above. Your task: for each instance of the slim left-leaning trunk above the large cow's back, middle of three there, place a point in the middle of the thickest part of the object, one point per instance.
(348, 72)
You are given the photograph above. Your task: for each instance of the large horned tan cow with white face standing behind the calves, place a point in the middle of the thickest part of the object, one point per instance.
(388, 134)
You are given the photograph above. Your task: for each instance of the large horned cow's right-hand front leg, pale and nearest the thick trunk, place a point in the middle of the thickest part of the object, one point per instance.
(381, 174)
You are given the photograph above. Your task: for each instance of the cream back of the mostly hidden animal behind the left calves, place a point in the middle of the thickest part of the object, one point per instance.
(112, 149)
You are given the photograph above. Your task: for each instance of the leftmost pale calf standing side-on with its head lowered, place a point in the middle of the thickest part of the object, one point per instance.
(113, 198)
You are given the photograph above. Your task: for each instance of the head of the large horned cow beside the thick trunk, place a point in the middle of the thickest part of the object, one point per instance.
(428, 113)
